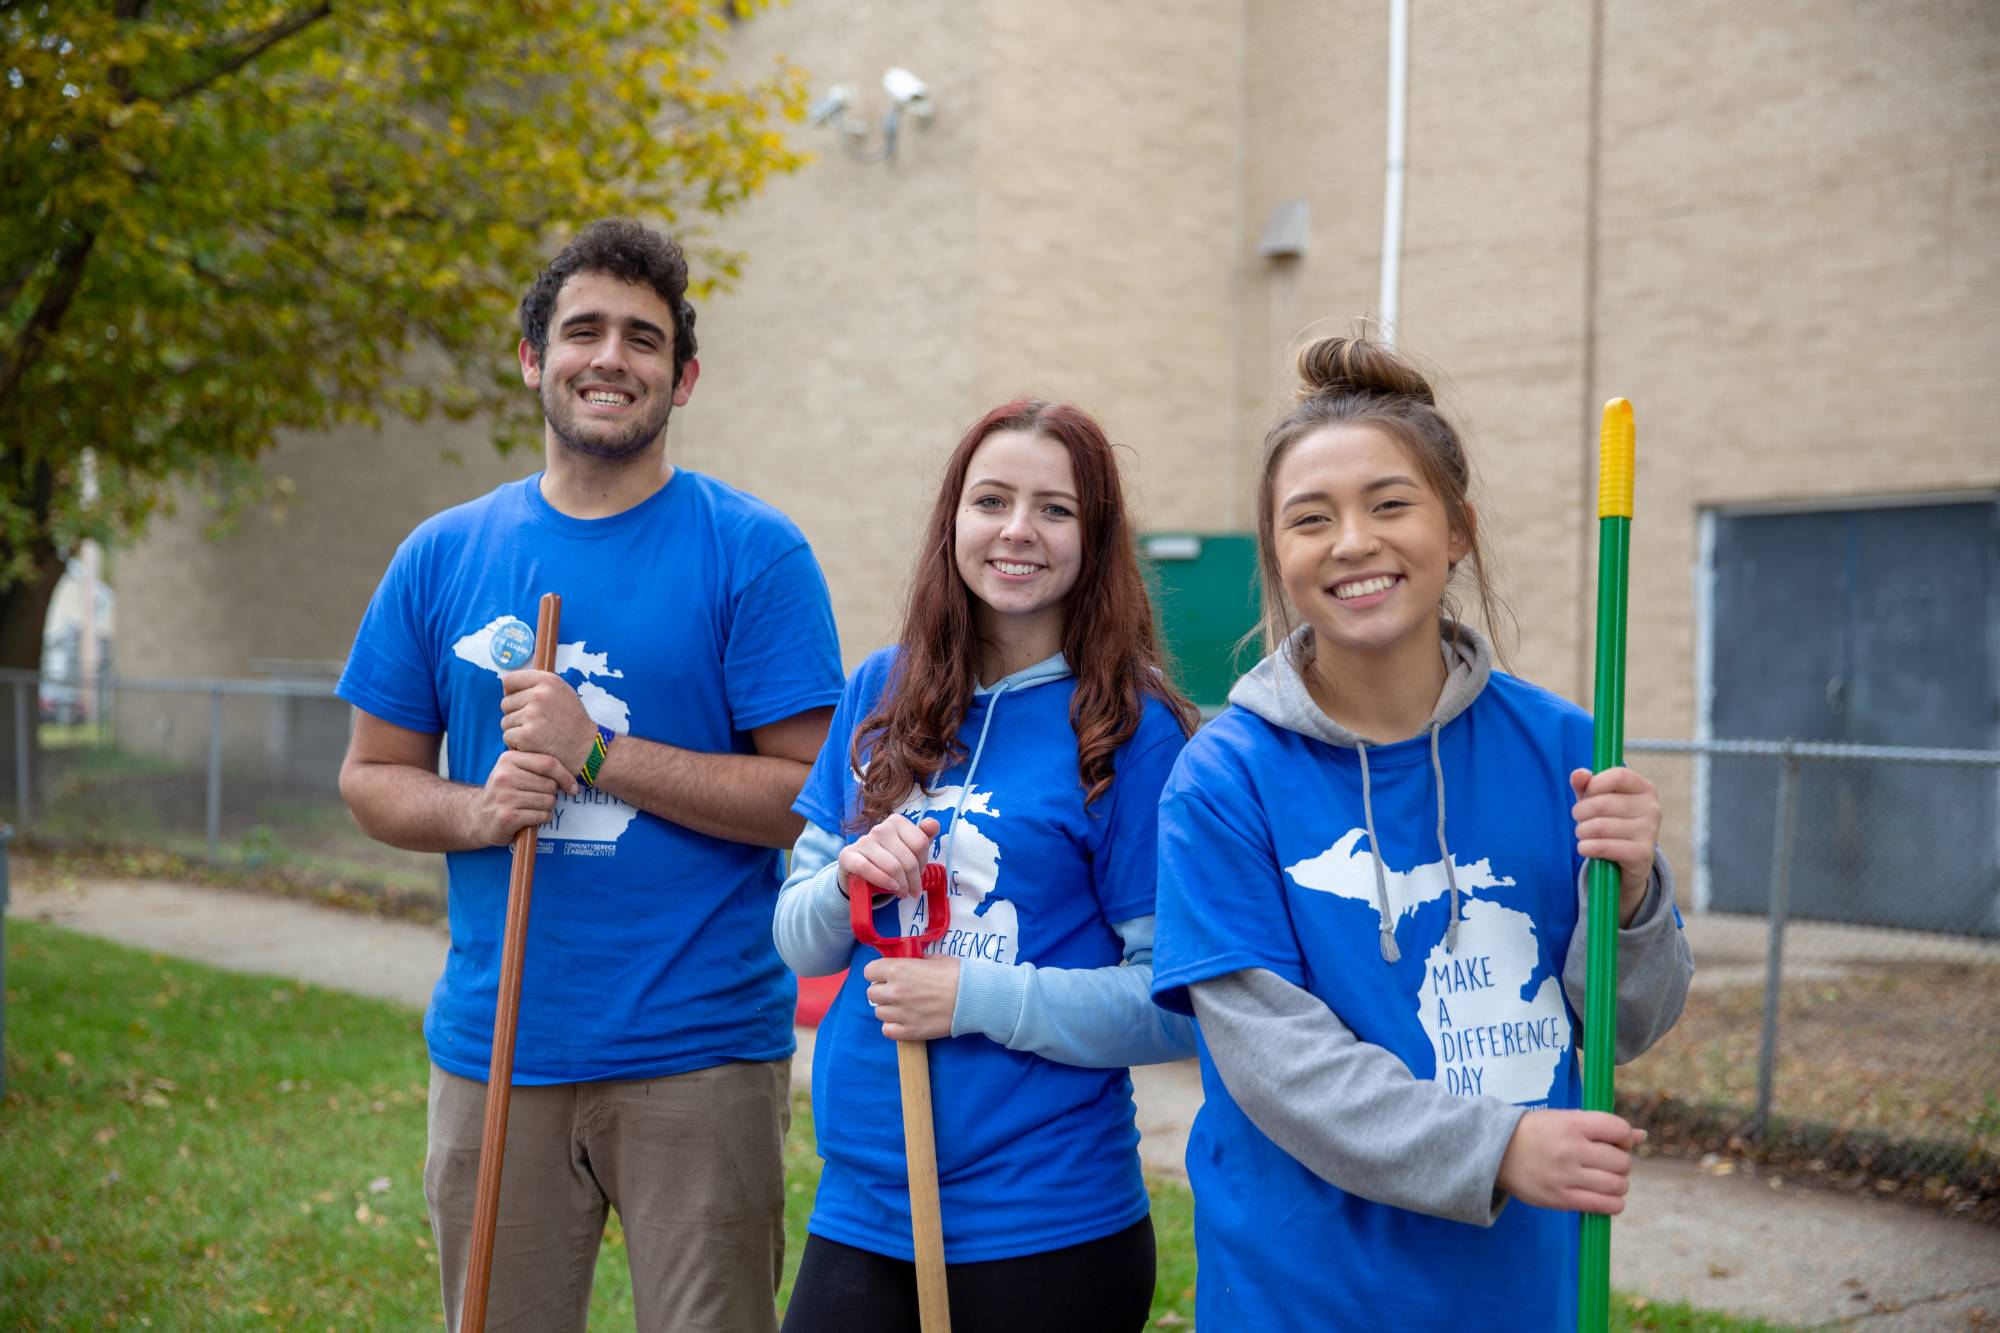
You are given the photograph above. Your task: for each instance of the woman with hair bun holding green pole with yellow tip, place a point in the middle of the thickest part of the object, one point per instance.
(1371, 900)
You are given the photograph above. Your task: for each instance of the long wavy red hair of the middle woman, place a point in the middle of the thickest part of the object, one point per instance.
(1115, 649)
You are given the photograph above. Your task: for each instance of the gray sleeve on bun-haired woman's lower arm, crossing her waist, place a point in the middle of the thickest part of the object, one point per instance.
(1347, 1110)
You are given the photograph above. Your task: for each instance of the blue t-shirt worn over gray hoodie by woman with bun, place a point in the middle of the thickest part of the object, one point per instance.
(1265, 864)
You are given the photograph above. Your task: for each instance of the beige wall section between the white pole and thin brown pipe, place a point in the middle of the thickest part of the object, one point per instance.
(1493, 291)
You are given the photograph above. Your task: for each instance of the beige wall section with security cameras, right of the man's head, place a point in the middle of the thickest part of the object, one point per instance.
(1061, 227)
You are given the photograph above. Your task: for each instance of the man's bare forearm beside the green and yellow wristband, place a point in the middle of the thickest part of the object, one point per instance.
(739, 798)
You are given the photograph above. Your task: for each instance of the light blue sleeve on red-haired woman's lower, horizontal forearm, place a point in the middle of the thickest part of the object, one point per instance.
(1101, 1018)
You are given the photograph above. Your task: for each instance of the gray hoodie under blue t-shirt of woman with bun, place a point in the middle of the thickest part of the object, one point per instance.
(1353, 1112)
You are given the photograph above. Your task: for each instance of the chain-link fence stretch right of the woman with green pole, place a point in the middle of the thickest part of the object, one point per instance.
(1847, 944)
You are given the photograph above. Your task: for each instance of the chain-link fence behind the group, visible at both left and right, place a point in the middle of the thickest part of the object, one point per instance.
(1843, 902)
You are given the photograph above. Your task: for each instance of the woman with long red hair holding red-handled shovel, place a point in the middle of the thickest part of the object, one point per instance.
(1019, 734)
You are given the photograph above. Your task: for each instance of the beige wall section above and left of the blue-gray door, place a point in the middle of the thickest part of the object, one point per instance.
(1799, 283)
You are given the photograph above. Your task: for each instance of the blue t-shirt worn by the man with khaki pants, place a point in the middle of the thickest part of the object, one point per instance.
(689, 619)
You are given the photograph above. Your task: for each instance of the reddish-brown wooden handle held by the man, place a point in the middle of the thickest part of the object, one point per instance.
(507, 1020)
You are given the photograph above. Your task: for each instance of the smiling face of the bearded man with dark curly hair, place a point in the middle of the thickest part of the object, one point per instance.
(607, 379)
